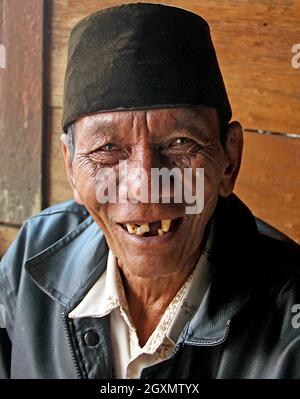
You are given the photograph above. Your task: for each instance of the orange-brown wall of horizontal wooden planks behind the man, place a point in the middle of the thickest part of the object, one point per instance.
(254, 40)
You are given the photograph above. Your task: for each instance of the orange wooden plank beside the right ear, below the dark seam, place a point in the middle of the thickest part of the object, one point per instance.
(269, 181)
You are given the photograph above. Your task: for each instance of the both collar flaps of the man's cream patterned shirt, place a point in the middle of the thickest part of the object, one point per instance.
(108, 294)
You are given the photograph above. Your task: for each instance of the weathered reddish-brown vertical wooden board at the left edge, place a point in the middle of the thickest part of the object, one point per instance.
(21, 105)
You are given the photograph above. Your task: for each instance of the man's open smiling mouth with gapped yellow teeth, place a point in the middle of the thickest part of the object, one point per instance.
(157, 228)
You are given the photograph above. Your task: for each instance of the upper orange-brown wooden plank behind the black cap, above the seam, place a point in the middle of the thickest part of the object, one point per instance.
(253, 39)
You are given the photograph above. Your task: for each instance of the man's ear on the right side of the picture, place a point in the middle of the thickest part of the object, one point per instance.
(233, 156)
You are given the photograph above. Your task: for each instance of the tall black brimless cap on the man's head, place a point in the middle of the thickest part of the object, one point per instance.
(141, 56)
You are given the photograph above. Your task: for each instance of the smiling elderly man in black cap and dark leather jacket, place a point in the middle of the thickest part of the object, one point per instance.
(145, 289)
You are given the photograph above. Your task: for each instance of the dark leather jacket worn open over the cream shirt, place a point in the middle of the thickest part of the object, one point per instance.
(246, 327)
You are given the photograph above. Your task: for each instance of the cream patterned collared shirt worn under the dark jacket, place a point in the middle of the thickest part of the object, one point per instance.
(107, 297)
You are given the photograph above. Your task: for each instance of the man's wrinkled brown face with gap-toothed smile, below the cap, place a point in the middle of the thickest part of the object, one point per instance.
(153, 239)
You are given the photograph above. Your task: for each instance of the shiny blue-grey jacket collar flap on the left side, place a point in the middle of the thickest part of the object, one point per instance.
(68, 269)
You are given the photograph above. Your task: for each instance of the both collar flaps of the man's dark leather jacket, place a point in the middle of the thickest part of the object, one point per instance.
(68, 269)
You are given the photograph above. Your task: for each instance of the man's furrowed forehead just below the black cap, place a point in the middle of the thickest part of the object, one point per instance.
(160, 124)
